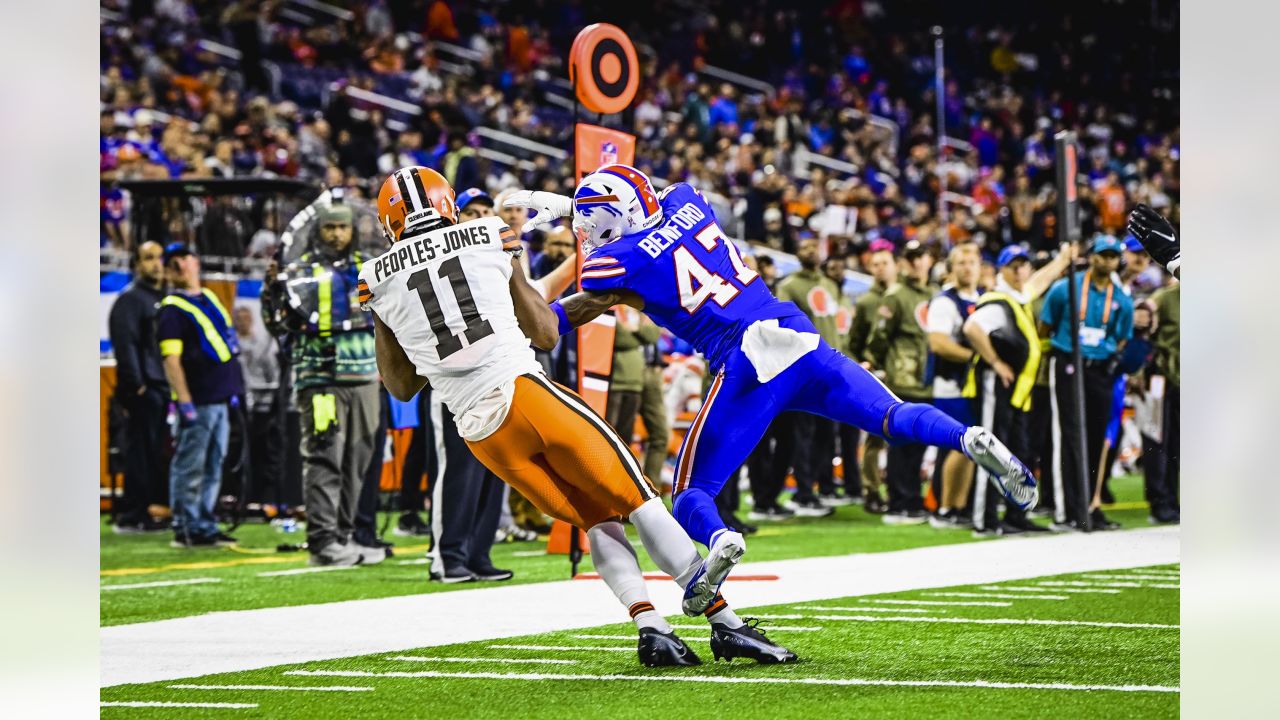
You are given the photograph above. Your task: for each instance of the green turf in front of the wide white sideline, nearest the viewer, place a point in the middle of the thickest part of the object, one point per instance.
(1110, 649)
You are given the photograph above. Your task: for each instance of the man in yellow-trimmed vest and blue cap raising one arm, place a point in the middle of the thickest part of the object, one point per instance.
(1005, 338)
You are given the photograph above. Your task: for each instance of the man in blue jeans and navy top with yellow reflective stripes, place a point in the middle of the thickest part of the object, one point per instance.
(200, 361)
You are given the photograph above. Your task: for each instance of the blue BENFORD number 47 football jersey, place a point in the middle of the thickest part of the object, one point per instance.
(692, 277)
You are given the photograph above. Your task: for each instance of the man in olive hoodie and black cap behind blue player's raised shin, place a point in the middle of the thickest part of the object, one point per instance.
(899, 338)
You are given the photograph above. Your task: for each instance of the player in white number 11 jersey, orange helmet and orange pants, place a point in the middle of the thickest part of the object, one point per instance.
(452, 308)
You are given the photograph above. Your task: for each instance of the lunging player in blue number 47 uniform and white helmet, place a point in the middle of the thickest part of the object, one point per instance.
(666, 256)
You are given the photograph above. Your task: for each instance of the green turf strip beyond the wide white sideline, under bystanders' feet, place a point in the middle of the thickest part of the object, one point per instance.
(243, 578)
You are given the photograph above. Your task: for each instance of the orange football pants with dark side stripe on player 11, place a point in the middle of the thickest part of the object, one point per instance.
(564, 458)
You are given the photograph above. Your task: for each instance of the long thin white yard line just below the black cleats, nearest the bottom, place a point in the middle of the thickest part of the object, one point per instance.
(753, 681)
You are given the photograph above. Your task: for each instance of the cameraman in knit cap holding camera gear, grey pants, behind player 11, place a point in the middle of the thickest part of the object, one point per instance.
(335, 382)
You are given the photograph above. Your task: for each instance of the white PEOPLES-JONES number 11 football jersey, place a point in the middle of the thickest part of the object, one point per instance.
(446, 297)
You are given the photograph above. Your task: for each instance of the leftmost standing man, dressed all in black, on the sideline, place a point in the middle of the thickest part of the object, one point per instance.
(141, 391)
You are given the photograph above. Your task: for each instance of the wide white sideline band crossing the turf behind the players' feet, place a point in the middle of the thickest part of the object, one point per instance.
(249, 640)
